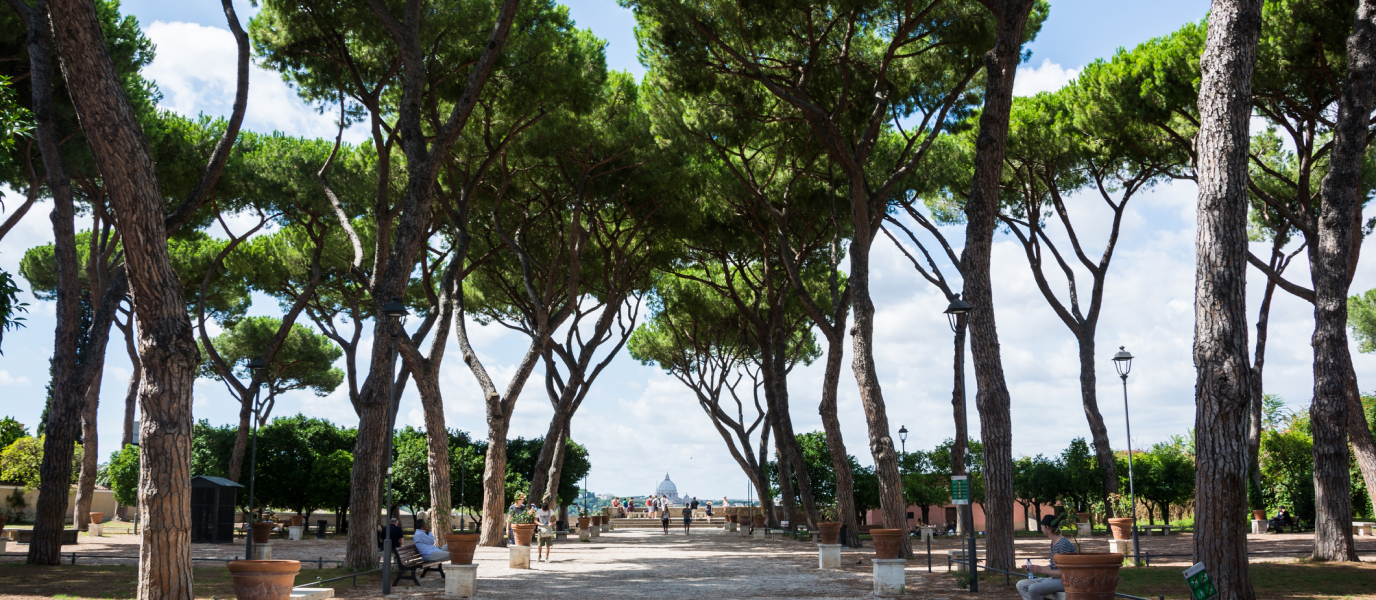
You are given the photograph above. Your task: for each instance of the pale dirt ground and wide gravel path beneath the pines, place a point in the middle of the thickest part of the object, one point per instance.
(624, 564)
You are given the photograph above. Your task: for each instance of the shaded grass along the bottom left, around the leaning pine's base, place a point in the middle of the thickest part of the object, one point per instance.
(119, 583)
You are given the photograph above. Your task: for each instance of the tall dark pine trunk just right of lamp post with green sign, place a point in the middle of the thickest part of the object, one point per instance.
(982, 211)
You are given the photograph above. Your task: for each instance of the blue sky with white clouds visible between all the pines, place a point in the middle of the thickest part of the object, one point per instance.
(641, 423)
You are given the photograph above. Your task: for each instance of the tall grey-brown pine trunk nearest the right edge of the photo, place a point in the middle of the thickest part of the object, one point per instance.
(1331, 264)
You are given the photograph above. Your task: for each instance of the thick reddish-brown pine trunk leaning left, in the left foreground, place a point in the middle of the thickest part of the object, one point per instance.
(170, 353)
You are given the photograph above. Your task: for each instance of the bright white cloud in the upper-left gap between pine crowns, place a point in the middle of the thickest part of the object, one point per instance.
(196, 72)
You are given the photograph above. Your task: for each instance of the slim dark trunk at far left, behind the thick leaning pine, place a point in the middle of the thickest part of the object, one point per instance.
(68, 397)
